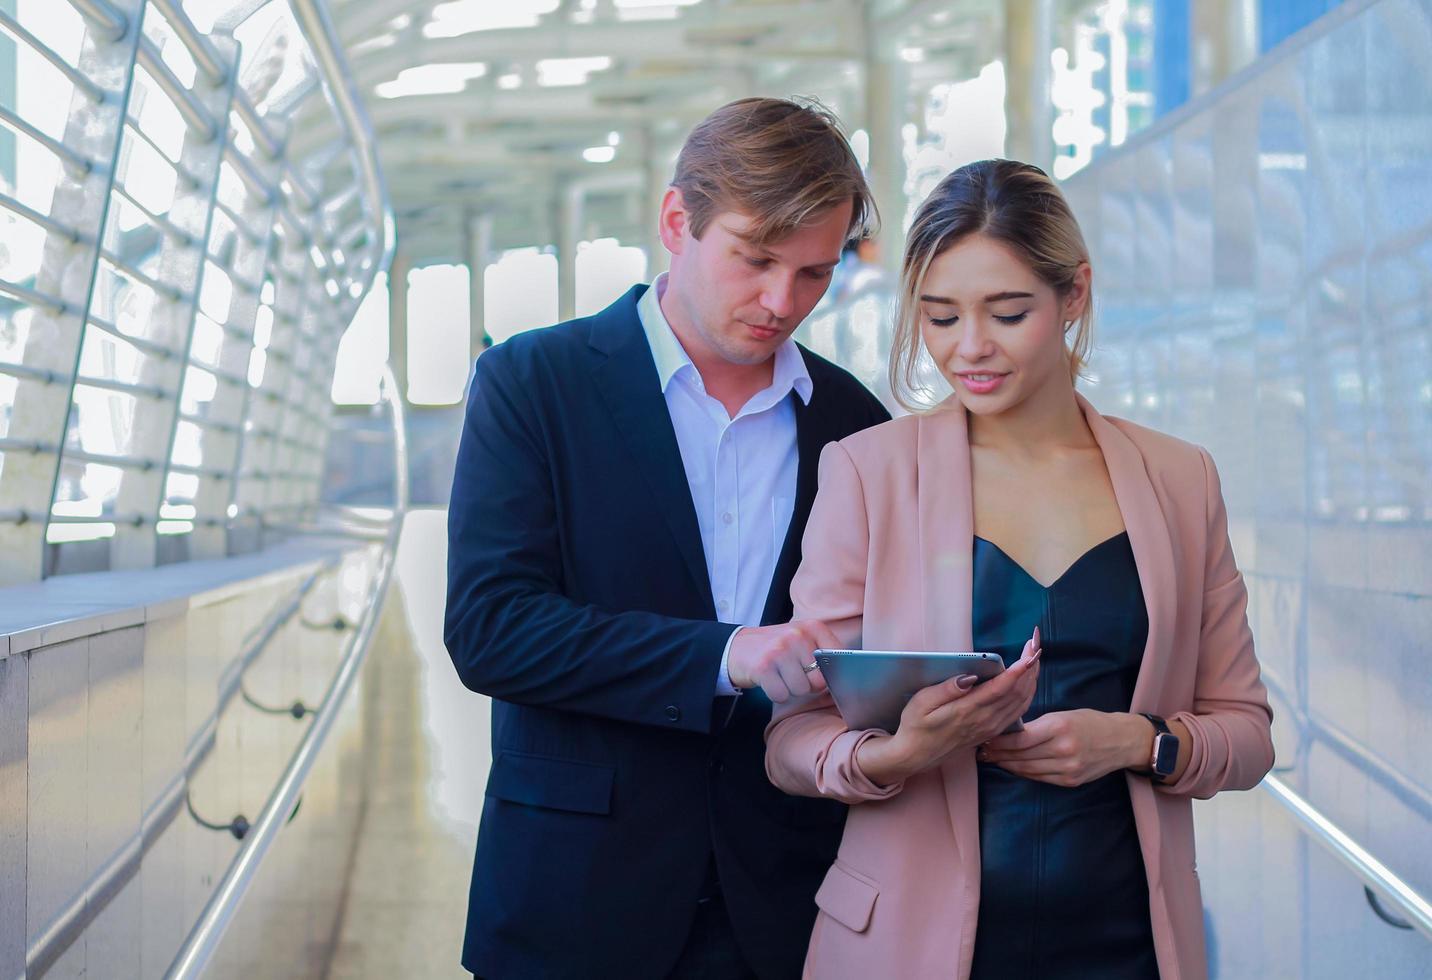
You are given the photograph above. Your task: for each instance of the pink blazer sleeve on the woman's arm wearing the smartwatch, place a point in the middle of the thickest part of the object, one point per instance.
(1231, 721)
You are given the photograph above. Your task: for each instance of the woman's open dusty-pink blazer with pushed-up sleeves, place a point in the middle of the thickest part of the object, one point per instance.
(889, 565)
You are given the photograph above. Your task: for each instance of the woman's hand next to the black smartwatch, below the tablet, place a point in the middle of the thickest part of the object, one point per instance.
(1070, 749)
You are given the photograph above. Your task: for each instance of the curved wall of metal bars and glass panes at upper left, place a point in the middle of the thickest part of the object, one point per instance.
(174, 282)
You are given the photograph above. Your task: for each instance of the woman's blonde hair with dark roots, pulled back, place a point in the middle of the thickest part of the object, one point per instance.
(1015, 204)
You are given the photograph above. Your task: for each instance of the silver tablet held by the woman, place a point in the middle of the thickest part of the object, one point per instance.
(871, 687)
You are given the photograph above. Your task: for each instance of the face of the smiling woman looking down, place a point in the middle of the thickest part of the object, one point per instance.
(993, 327)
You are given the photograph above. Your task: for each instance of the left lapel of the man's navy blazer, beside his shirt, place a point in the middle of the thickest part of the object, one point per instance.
(629, 386)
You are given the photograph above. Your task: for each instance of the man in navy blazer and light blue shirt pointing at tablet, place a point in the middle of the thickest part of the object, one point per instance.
(626, 518)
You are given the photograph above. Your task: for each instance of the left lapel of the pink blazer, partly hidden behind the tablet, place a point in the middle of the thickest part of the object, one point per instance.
(947, 578)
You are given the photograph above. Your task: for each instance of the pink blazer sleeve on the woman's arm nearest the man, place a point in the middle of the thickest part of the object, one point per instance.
(810, 751)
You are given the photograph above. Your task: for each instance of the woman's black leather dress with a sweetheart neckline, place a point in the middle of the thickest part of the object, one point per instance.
(1063, 890)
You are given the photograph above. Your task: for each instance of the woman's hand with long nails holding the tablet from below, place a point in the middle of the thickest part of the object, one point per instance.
(952, 716)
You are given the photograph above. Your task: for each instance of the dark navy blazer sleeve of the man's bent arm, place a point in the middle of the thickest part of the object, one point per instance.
(509, 628)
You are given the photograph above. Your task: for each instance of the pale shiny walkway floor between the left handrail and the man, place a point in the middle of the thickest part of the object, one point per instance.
(407, 896)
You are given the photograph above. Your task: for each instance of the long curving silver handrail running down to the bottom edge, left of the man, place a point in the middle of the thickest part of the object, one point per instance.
(204, 939)
